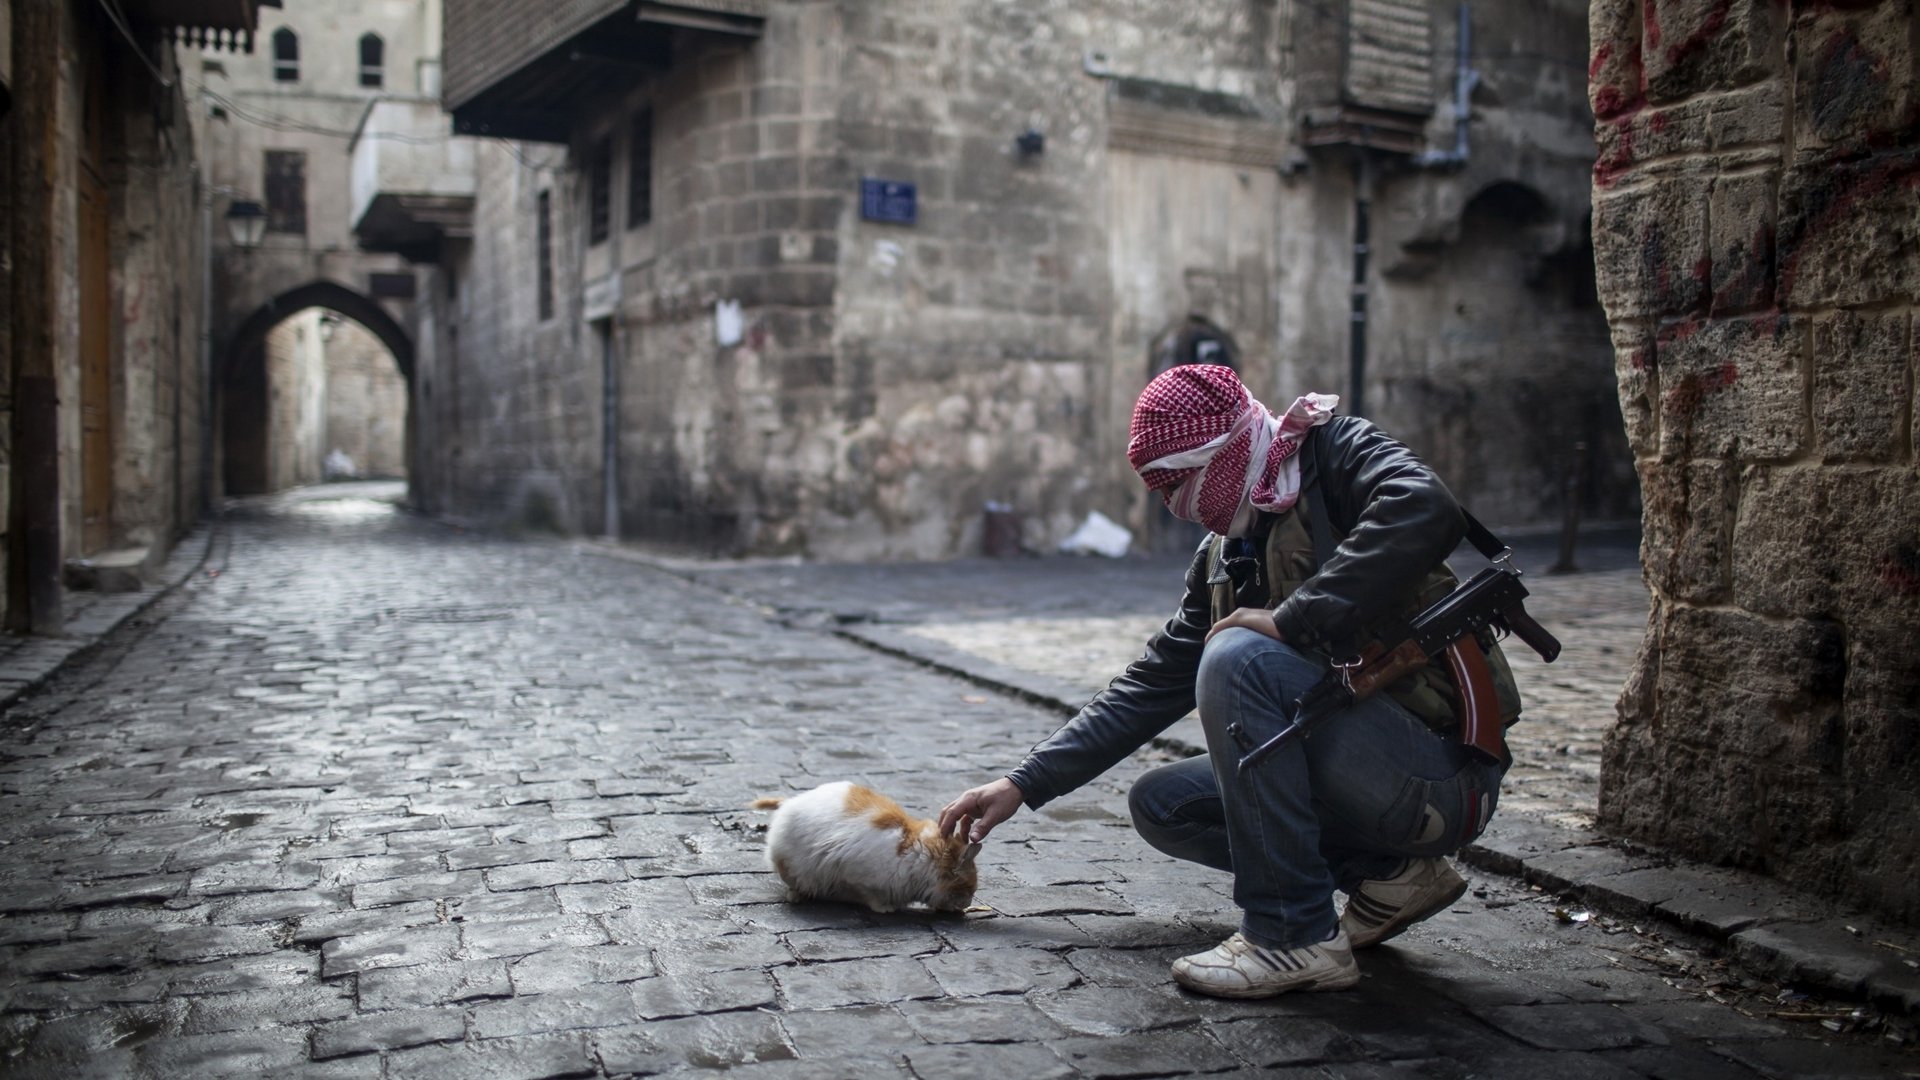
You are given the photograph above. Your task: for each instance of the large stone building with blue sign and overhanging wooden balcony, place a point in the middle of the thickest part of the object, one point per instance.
(828, 278)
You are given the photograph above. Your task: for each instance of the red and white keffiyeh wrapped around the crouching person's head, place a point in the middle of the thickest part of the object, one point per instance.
(1214, 453)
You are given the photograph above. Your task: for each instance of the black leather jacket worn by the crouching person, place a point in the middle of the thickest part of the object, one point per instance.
(1395, 520)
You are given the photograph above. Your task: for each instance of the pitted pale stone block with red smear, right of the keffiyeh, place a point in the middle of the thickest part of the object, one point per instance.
(1733, 389)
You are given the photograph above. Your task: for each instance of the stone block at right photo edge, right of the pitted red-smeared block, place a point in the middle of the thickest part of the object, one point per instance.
(1860, 385)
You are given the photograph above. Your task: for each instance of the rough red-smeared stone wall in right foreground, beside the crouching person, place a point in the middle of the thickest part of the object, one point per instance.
(1760, 260)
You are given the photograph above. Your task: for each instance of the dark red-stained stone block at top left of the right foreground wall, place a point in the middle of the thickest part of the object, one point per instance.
(1708, 45)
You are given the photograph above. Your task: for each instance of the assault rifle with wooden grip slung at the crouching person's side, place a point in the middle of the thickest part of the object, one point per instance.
(1493, 601)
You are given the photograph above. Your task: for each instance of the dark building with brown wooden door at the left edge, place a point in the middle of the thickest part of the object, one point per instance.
(103, 218)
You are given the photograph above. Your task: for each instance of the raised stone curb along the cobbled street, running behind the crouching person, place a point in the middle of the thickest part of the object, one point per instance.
(1764, 927)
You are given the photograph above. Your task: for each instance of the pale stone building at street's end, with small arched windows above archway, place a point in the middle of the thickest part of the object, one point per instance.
(312, 130)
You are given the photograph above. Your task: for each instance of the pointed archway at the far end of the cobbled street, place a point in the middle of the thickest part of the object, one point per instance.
(304, 381)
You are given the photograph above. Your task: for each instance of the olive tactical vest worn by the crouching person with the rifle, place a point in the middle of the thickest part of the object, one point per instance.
(1289, 560)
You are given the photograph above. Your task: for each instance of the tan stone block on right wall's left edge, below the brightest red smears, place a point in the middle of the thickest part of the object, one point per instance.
(1650, 249)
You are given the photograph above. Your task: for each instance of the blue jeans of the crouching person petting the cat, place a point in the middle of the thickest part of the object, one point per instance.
(1351, 802)
